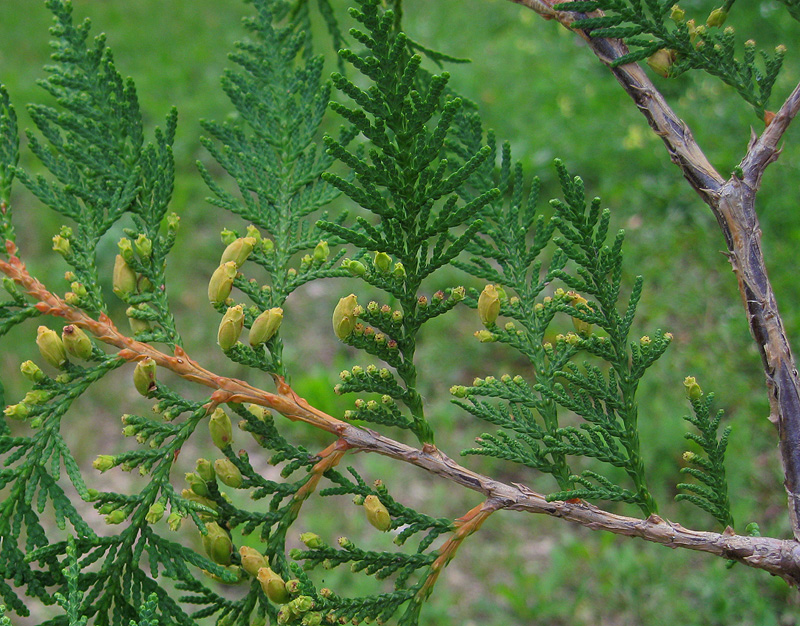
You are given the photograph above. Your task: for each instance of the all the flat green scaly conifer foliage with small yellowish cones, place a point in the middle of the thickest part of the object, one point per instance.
(427, 189)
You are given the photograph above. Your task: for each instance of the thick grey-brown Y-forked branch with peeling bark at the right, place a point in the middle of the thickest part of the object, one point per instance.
(733, 204)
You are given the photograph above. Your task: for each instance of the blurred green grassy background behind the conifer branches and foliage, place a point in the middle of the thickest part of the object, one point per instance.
(541, 89)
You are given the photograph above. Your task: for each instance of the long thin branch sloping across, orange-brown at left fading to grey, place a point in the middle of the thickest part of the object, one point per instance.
(778, 557)
